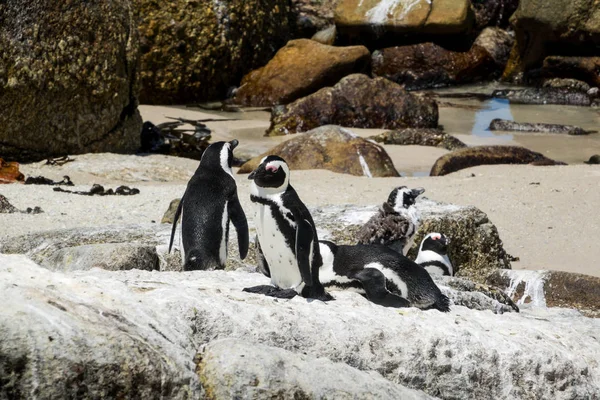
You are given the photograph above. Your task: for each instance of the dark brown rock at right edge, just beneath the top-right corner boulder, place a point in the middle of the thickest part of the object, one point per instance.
(586, 69)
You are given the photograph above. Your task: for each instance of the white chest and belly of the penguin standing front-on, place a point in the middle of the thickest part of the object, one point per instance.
(283, 264)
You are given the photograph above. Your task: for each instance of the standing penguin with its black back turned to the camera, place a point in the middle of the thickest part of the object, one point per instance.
(210, 201)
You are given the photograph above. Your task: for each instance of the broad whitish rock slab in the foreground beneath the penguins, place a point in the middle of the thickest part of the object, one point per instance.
(137, 333)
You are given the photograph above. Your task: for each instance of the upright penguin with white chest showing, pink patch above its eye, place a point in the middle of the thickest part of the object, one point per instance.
(287, 245)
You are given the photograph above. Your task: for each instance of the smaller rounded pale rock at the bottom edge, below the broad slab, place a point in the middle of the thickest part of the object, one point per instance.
(228, 368)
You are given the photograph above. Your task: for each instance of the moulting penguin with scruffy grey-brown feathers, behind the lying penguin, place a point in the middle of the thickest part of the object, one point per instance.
(396, 222)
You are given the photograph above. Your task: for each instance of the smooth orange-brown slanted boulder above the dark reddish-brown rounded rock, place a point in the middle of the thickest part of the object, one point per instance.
(300, 68)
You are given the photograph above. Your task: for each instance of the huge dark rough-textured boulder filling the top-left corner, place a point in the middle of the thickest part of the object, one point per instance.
(68, 78)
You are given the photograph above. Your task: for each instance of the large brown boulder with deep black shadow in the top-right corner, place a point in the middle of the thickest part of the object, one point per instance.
(552, 27)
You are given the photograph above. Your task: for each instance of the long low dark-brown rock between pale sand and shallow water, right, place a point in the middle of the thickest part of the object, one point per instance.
(485, 155)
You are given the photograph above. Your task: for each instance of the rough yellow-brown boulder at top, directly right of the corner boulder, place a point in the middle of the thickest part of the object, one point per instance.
(196, 50)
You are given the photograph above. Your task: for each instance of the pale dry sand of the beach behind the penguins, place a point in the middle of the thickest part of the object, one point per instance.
(546, 216)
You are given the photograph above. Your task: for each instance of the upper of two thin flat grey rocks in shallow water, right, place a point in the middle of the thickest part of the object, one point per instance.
(546, 95)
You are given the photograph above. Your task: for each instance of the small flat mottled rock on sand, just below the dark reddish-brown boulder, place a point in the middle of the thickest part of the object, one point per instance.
(421, 137)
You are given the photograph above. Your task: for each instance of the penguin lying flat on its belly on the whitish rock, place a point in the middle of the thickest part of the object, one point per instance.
(381, 274)
